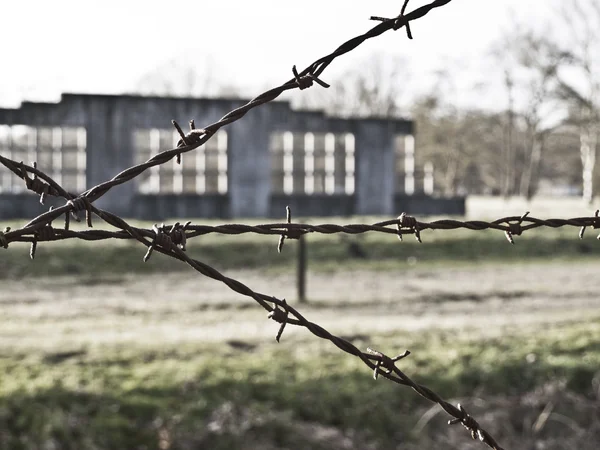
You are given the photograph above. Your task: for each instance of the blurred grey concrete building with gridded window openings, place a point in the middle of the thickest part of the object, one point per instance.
(275, 156)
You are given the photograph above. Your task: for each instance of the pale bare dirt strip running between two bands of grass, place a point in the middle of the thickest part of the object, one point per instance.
(185, 307)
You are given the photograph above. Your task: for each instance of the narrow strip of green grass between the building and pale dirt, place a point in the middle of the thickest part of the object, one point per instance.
(373, 251)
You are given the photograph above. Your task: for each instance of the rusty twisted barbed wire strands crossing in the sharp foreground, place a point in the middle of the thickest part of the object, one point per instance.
(171, 240)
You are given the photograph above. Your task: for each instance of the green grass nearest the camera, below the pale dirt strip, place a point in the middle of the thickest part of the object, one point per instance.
(226, 396)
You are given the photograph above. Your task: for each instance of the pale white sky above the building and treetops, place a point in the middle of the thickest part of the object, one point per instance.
(107, 46)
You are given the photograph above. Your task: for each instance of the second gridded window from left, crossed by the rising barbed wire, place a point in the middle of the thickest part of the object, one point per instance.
(203, 170)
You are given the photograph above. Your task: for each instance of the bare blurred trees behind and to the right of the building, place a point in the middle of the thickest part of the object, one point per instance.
(541, 138)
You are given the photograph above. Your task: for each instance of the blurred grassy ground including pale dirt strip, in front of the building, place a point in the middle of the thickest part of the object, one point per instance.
(100, 351)
